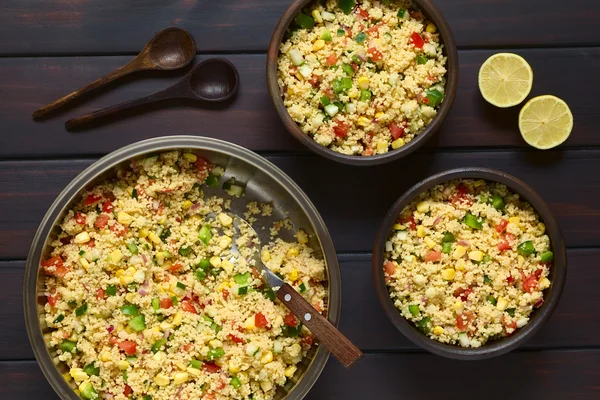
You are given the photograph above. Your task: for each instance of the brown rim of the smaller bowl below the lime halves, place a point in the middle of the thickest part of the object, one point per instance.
(492, 348)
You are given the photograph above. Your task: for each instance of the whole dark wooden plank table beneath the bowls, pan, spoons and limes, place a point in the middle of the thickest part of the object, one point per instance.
(48, 48)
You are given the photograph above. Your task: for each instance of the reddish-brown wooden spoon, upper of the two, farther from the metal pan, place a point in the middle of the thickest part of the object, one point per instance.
(169, 49)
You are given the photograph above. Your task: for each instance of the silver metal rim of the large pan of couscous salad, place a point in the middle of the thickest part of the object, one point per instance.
(166, 143)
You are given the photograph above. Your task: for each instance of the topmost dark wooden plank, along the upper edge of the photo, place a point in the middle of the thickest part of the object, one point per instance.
(109, 26)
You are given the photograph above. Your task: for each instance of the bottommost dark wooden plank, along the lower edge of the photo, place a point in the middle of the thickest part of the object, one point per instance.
(546, 375)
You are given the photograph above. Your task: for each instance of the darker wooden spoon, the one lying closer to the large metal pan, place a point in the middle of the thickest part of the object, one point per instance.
(212, 80)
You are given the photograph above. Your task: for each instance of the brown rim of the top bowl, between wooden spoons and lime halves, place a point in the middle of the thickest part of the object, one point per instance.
(447, 39)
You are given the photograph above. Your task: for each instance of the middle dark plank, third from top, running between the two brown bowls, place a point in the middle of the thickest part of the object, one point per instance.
(363, 195)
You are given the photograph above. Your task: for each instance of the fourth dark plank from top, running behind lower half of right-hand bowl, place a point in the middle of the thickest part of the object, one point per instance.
(573, 324)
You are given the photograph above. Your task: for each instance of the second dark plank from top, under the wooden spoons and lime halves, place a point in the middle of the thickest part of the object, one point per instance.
(250, 119)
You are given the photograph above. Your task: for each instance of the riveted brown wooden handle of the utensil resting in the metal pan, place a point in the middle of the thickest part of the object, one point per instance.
(328, 335)
